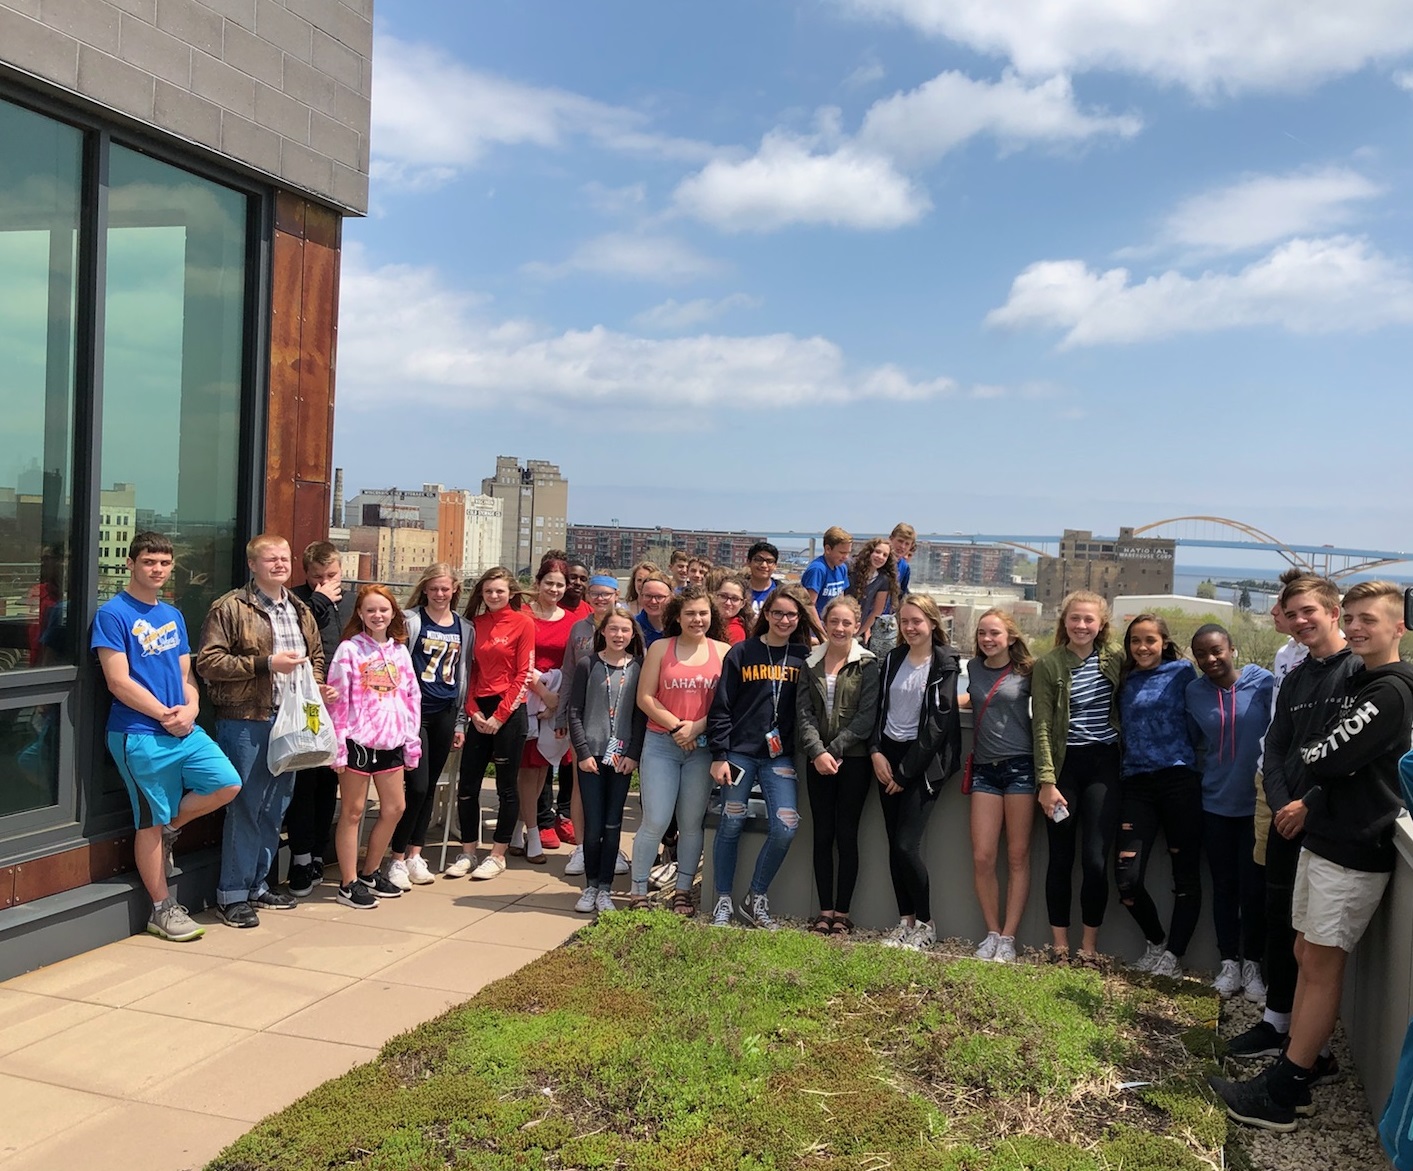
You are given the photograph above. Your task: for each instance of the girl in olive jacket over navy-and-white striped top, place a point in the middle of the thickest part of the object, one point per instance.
(1076, 731)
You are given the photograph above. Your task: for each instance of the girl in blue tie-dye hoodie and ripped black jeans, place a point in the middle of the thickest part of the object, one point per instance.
(1161, 789)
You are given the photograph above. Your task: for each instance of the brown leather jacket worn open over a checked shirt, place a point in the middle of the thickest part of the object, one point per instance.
(237, 643)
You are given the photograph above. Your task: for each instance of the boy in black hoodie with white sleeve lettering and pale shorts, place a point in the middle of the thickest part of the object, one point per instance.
(1350, 803)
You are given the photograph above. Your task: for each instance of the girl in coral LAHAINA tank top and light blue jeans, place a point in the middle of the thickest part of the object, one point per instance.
(676, 690)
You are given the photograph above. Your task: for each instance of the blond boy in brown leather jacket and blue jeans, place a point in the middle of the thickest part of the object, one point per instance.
(252, 642)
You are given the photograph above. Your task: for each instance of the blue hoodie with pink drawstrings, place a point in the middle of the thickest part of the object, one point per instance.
(1229, 725)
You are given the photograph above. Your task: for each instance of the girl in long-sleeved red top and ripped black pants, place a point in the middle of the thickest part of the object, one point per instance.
(495, 706)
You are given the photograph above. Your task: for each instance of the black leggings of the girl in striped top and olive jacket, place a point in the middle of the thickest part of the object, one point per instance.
(1090, 786)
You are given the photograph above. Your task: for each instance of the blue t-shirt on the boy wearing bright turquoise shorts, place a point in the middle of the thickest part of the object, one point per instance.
(153, 641)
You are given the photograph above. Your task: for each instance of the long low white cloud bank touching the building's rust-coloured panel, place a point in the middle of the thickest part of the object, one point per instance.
(405, 335)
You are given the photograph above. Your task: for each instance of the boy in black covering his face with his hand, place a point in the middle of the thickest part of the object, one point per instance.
(310, 819)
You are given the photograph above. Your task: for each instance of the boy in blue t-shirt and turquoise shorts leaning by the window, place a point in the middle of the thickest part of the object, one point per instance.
(172, 769)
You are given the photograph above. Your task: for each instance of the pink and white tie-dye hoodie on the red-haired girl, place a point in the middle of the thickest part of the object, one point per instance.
(378, 701)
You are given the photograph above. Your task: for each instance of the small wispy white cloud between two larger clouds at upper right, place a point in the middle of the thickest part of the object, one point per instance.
(1261, 210)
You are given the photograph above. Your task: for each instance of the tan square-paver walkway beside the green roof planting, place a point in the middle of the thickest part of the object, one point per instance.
(155, 1056)
